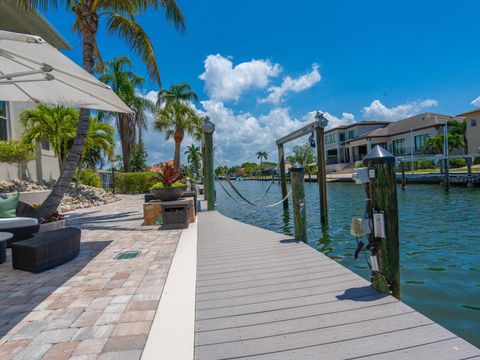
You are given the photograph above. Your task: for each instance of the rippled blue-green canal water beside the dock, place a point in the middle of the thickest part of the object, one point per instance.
(439, 241)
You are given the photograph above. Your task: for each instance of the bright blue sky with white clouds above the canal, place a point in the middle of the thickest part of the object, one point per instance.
(353, 59)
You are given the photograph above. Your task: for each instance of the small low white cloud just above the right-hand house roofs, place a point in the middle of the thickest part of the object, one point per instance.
(378, 111)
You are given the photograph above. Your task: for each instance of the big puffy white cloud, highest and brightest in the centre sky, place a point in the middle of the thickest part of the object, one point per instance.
(223, 81)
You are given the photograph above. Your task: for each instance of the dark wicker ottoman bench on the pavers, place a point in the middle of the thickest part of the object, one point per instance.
(46, 250)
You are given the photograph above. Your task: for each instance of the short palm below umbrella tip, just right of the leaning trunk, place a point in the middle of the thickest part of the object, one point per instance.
(100, 140)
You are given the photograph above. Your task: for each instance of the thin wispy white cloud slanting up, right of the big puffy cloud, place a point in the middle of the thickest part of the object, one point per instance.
(306, 81)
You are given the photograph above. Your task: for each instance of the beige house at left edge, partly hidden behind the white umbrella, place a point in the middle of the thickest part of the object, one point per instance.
(45, 165)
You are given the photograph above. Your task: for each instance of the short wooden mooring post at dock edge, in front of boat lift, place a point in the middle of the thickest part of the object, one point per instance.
(298, 199)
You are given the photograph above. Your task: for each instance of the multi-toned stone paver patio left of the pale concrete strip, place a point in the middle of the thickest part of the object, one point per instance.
(94, 307)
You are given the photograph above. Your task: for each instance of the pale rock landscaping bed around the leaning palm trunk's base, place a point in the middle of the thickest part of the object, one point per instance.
(75, 198)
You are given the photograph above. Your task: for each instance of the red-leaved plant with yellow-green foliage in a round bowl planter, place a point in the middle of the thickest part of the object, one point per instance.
(170, 183)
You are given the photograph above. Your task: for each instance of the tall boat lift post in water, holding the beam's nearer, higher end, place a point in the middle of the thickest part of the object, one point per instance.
(322, 123)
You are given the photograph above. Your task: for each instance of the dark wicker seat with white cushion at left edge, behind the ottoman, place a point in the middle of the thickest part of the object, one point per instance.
(23, 226)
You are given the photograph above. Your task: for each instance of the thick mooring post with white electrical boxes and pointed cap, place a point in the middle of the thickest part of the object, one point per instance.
(384, 235)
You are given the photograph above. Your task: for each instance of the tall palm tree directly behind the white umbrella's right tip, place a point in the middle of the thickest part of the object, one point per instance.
(124, 82)
